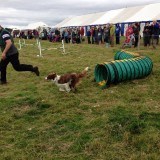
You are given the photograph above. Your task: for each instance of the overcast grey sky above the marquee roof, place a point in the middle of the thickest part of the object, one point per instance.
(22, 12)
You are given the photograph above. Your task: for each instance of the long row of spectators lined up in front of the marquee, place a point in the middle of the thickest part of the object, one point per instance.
(108, 34)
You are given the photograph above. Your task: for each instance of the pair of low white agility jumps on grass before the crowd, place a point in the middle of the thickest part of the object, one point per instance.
(39, 46)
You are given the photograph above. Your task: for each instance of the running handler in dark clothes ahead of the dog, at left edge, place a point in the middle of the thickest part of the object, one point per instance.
(11, 54)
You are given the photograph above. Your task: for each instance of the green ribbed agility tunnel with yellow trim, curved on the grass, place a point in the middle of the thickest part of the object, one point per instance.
(126, 66)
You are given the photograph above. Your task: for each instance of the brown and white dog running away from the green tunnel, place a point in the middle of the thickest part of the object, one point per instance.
(67, 82)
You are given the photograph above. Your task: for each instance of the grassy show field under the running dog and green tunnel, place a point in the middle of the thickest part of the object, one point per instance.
(39, 122)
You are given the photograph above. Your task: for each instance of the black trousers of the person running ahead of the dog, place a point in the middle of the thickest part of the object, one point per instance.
(14, 59)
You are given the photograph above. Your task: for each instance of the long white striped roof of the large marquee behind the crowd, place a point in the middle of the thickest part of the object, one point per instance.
(125, 15)
